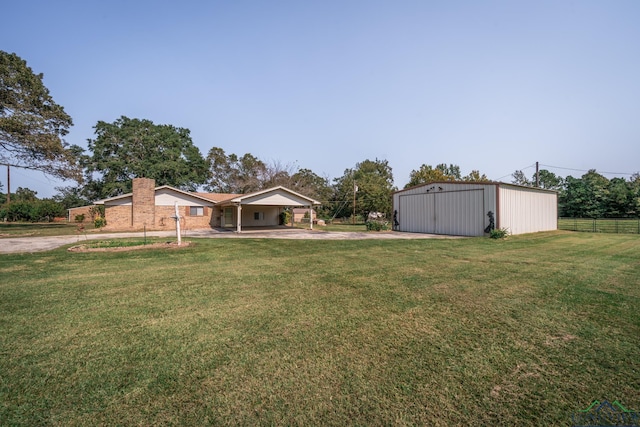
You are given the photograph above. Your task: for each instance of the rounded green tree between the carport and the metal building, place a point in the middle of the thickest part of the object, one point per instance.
(373, 182)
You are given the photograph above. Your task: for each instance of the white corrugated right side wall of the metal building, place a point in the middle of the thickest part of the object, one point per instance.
(527, 210)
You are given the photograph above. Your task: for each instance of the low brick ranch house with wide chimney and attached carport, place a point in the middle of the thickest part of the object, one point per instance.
(154, 208)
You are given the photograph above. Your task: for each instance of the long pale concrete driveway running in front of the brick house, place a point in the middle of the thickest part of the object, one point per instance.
(39, 244)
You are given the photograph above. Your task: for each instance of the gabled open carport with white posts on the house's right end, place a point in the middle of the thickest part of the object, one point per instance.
(262, 209)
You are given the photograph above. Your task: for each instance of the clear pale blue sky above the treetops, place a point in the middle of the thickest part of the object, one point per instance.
(487, 85)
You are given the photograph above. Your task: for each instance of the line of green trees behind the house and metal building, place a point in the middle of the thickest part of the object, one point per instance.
(33, 126)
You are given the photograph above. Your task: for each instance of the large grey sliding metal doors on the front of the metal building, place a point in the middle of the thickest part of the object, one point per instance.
(459, 213)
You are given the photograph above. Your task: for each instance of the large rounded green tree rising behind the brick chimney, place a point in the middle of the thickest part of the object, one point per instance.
(134, 148)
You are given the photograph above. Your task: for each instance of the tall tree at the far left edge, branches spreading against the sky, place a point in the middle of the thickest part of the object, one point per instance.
(32, 125)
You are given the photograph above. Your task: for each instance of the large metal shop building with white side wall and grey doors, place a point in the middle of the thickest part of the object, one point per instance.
(462, 208)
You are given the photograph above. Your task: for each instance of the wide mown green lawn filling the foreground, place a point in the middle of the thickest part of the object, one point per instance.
(523, 331)
